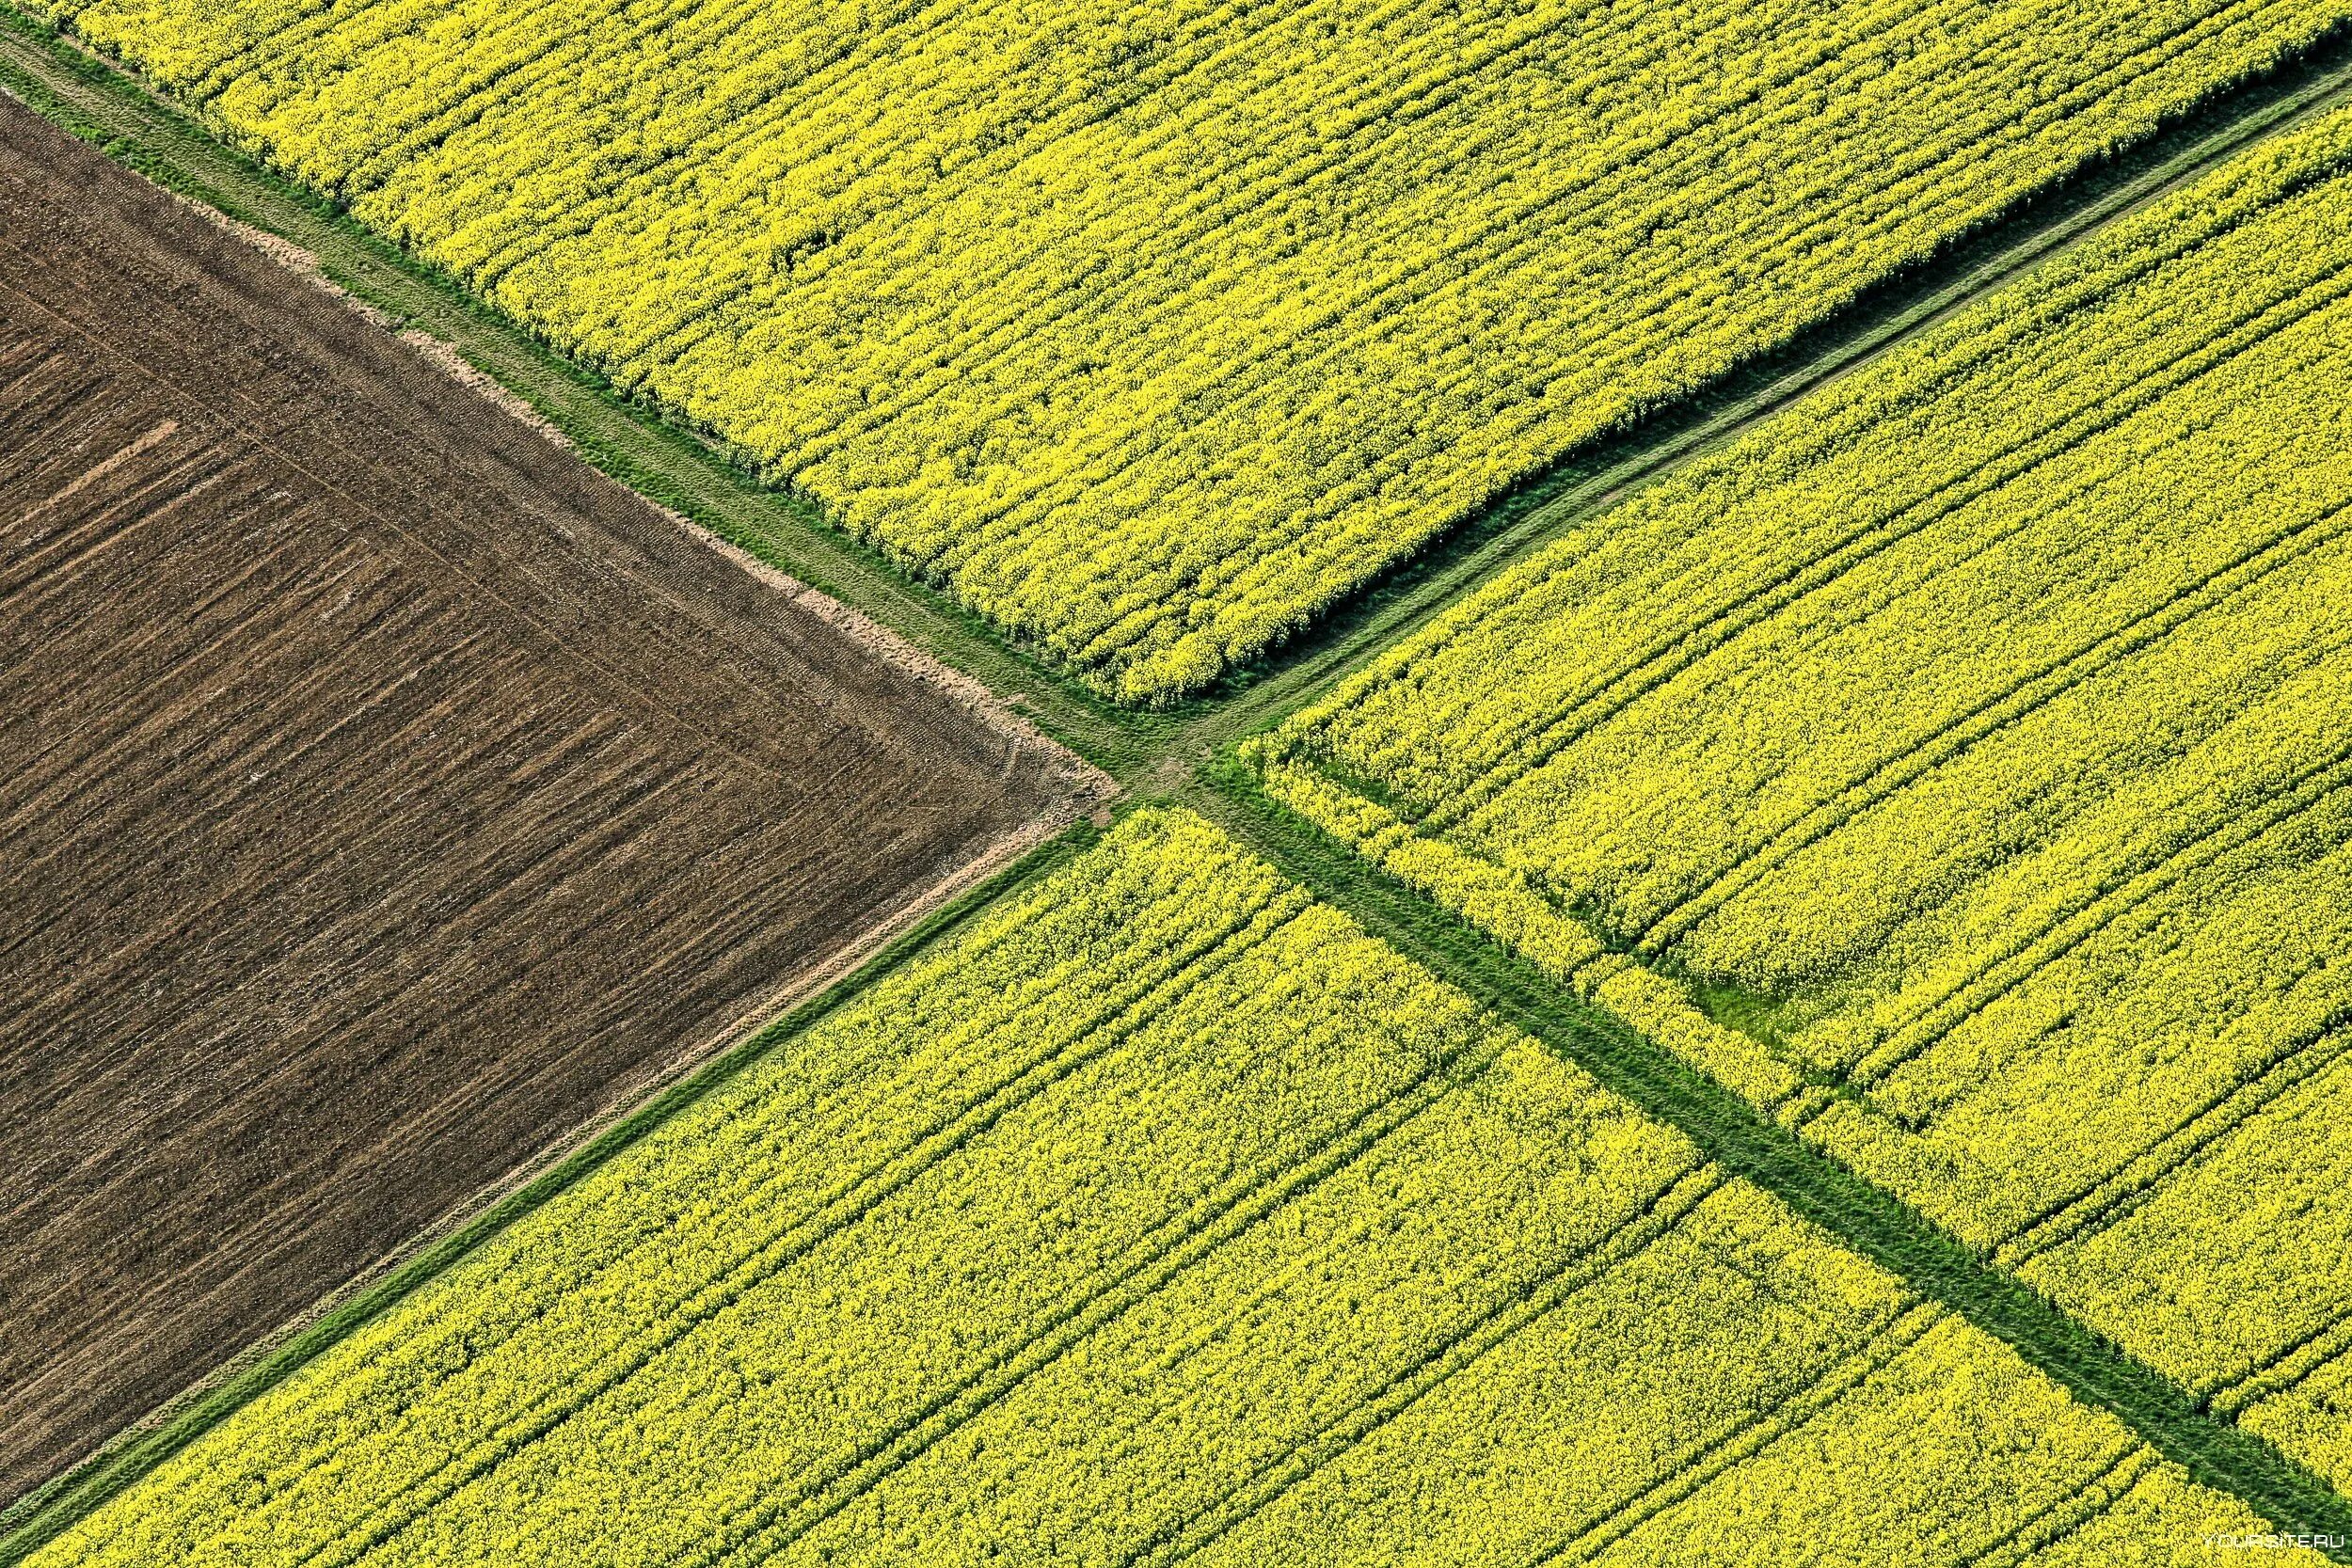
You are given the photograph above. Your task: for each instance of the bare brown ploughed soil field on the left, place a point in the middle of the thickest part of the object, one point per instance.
(385, 800)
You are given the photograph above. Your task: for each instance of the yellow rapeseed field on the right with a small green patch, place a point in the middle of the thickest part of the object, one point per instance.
(1963, 770)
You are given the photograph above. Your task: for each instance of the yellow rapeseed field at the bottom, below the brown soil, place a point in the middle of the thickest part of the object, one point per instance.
(1158, 1214)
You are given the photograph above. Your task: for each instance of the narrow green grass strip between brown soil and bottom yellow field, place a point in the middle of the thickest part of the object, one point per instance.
(46, 1513)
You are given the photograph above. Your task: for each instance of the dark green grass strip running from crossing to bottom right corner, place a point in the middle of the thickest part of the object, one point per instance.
(1871, 1221)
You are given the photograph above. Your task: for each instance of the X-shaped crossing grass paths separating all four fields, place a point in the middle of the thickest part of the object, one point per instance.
(1187, 753)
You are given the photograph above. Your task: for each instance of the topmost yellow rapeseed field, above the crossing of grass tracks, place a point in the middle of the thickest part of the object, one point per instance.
(1154, 335)
